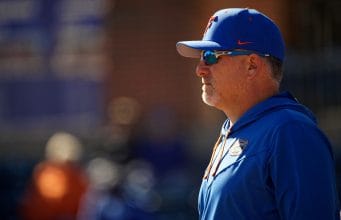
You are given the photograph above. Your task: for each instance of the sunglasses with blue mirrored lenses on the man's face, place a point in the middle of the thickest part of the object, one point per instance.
(211, 57)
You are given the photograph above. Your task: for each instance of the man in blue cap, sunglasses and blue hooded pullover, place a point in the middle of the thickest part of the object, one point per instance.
(271, 161)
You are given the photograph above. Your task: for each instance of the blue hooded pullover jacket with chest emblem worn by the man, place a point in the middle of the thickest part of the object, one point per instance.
(275, 164)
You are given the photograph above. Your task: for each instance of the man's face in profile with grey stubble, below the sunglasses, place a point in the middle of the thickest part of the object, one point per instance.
(223, 82)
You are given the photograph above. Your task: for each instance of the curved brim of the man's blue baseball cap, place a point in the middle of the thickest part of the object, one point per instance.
(193, 49)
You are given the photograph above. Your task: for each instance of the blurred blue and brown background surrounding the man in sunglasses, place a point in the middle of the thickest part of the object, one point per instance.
(100, 118)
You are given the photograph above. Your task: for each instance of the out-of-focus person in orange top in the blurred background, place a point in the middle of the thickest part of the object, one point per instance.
(58, 183)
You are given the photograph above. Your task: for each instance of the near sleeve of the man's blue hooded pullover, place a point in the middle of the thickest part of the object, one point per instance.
(302, 173)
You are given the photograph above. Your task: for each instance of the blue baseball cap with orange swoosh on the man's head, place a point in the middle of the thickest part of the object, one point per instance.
(237, 28)
